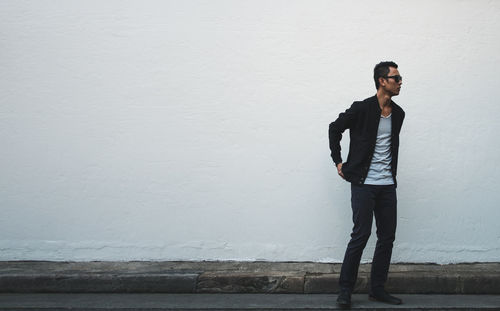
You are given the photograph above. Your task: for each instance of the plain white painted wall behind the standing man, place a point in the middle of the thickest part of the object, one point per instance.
(198, 130)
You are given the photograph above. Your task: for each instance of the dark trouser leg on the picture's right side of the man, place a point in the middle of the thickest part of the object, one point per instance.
(386, 218)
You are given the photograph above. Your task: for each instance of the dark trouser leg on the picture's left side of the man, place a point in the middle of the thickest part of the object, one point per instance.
(362, 203)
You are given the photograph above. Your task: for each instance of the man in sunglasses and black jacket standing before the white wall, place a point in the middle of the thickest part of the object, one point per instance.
(374, 125)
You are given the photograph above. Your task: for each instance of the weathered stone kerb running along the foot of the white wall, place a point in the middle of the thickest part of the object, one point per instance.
(237, 277)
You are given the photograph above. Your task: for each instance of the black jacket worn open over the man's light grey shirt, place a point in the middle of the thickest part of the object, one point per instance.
(362, 120)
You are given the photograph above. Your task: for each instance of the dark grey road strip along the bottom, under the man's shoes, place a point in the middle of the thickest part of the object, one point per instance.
(227, 302)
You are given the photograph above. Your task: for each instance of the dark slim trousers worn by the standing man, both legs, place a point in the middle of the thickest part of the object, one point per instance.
(366, 201)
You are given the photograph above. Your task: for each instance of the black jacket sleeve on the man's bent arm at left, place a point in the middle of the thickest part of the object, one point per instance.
(344, 121)
